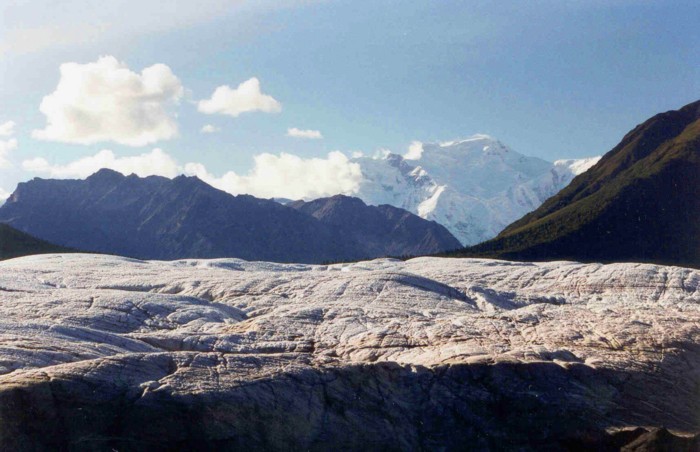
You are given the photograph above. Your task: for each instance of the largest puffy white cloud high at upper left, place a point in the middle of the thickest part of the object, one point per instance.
(106, 101)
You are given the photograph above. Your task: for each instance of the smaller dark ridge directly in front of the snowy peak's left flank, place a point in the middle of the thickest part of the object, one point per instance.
(383, 230)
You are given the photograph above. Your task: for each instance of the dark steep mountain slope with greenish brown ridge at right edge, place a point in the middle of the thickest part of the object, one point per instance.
(640, 202)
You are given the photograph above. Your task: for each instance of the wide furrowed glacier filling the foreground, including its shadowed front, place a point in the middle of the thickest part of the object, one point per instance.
(101, 353)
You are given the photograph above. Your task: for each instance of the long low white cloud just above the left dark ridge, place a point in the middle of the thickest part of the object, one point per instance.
(156, 162)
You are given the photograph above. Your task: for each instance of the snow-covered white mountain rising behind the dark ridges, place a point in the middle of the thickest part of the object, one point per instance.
(474, 187)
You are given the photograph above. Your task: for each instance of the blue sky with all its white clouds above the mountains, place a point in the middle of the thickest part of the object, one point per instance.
(274, 98)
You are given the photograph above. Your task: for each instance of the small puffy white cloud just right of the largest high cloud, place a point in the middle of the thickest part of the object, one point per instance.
(247, 97)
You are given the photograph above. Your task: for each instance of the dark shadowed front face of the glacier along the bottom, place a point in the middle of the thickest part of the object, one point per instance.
(381, 406)
